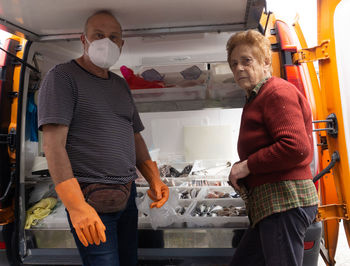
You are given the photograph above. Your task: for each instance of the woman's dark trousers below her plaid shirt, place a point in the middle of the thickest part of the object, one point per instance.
(277, 240)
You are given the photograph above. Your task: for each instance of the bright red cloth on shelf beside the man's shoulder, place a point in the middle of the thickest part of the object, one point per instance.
(136, 82)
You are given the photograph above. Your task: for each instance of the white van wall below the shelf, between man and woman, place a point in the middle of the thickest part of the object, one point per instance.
(166, 131)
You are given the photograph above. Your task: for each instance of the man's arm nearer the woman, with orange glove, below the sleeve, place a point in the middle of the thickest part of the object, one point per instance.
(158, 191)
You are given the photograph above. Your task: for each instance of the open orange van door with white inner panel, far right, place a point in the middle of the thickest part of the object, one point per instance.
(332, 106)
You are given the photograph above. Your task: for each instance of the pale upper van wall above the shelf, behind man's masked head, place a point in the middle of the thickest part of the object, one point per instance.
(149, 51)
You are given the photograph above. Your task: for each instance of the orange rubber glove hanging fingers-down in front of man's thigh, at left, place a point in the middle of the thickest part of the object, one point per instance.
(85, 220)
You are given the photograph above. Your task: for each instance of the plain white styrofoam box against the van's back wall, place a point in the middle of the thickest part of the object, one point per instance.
(208, 142)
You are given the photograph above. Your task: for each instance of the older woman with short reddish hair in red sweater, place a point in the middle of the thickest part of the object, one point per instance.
(275, 148)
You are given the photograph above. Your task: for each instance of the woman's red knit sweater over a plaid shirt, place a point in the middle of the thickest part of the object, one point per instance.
(276, 135)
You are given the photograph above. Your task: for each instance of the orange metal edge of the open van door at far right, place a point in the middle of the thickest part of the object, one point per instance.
(331, 103)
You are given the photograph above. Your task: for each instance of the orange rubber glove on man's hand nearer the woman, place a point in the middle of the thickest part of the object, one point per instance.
(158, 192)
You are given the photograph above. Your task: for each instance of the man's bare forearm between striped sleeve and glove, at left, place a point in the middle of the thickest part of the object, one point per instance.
(55, 137)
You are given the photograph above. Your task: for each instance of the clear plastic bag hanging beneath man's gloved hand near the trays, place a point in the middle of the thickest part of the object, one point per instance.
(160, 217)
